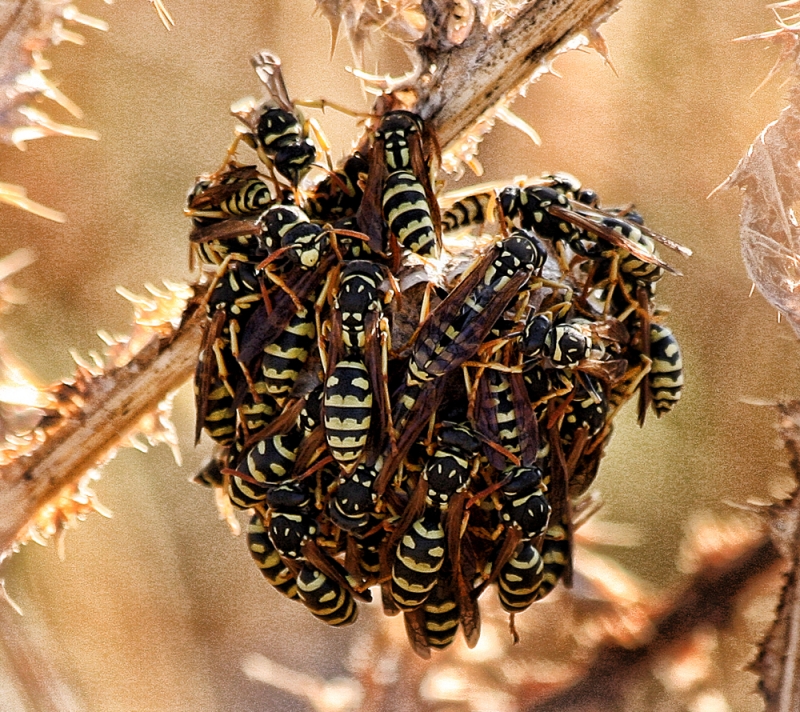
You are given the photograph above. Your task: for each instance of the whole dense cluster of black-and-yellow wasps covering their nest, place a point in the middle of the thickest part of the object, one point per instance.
(407, 396)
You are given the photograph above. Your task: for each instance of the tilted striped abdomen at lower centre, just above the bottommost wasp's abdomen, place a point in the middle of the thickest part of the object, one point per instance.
(420, 555)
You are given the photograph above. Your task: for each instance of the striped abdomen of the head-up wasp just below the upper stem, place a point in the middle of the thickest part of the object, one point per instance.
(406, 209)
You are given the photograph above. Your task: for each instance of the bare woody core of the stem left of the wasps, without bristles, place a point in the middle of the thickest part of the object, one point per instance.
(114, 404)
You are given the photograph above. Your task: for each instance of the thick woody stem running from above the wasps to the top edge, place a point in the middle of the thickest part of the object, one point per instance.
(473, 77)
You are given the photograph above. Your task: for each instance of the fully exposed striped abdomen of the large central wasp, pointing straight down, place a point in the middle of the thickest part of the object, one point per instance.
(347, 411)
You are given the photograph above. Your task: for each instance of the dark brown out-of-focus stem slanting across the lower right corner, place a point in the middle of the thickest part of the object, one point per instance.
(708, 599)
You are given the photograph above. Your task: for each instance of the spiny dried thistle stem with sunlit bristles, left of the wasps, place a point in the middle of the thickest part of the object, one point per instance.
(87, 418)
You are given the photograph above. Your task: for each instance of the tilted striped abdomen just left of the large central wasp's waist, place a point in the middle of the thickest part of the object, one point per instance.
(285, 357)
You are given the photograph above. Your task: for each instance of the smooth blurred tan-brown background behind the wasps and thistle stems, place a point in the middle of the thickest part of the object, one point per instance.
(158, 607)
